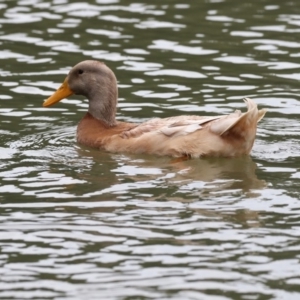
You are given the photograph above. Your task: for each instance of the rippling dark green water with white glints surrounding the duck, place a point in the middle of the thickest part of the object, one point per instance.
(77, 223)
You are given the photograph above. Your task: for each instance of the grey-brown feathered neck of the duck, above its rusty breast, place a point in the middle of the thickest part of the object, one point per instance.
(103, 101)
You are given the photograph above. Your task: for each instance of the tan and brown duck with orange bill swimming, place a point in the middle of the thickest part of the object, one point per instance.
(189, 136)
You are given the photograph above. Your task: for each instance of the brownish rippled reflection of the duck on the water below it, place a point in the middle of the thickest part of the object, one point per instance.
(211, 186)
